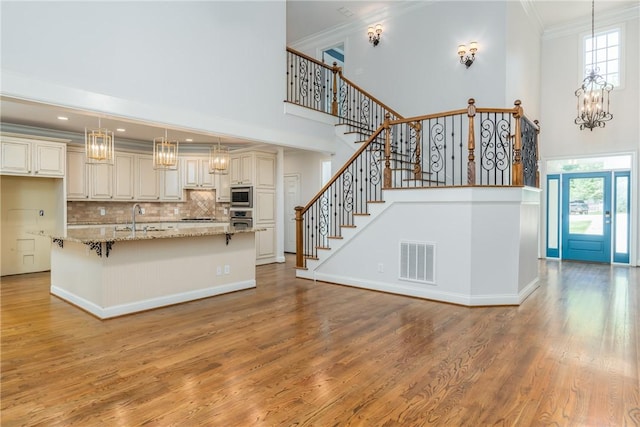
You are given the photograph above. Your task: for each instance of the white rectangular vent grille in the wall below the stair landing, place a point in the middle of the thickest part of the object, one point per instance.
(417, 261)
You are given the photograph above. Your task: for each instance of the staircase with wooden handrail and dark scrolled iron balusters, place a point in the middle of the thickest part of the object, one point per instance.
(467, 148)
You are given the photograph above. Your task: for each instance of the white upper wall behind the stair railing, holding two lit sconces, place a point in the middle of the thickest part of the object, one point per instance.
(415, 69)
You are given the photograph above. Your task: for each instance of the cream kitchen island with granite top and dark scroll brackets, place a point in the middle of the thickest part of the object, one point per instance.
(111, 273)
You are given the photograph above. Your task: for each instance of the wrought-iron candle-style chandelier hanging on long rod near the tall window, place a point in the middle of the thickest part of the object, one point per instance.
(593, 95)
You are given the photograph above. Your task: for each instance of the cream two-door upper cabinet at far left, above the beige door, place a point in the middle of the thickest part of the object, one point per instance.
(20, 155)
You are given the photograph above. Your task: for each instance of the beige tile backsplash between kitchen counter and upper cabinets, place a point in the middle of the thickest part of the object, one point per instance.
(197, 204)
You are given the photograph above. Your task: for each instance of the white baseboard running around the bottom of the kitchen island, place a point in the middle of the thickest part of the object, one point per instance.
(134, 307)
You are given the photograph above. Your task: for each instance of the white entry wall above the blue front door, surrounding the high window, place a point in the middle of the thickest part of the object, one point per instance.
(560, 137)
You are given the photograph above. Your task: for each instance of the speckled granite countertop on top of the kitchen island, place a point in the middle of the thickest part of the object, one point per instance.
(89, 235)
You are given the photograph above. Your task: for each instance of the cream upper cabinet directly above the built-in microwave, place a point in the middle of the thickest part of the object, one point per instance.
(254, 168)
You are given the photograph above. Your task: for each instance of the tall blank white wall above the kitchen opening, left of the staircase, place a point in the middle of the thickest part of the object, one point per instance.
(210, 66)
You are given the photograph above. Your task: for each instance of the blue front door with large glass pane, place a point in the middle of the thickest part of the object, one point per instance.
(586, 216)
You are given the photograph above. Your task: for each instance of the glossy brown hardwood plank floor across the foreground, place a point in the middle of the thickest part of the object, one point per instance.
(295, 352)
